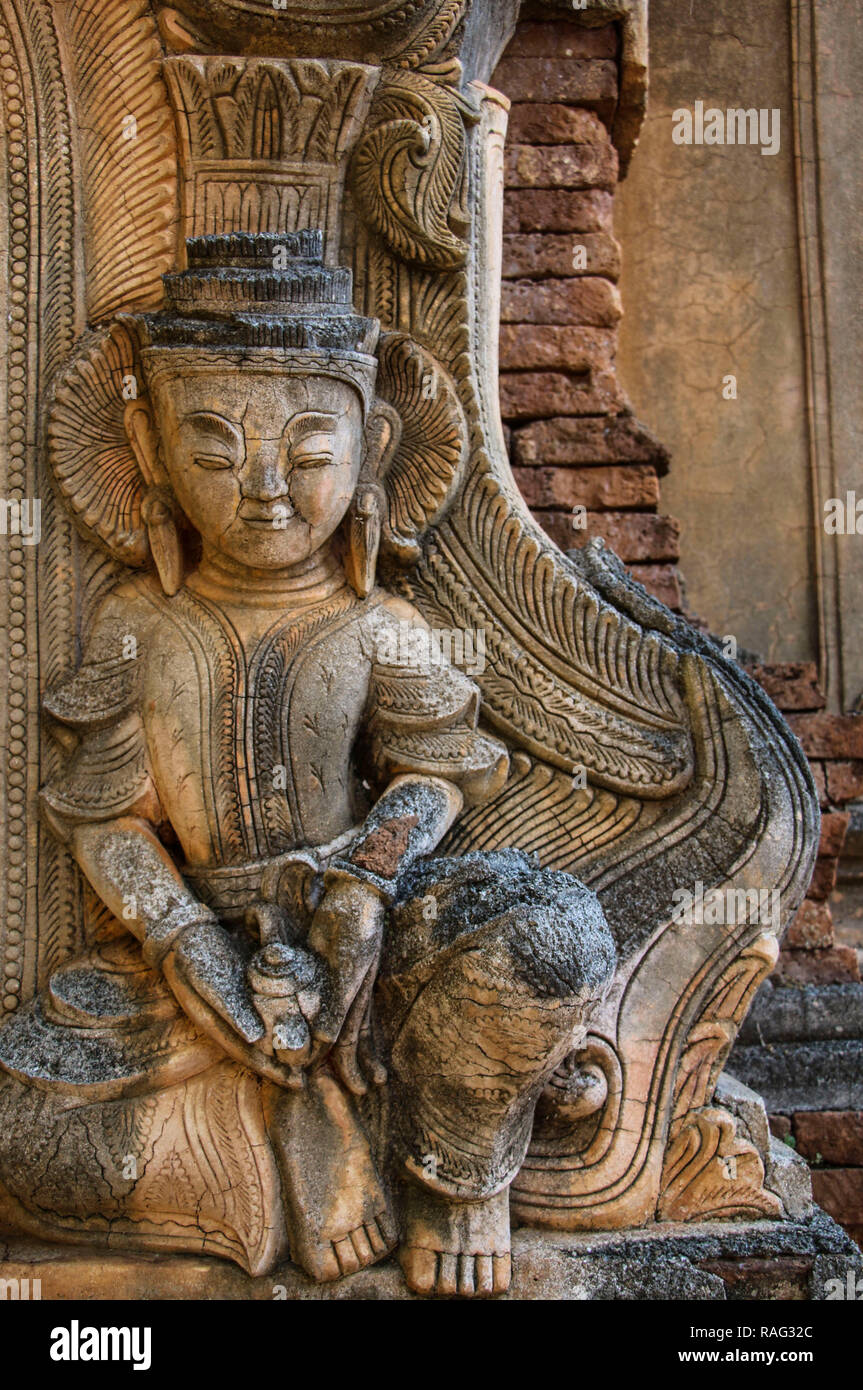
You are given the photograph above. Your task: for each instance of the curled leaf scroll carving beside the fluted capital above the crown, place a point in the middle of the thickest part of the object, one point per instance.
(411, 170)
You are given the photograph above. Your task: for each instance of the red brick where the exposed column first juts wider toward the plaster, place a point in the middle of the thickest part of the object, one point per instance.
(618, 440)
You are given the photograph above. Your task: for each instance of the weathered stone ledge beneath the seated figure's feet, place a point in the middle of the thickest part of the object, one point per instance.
(707, 1263)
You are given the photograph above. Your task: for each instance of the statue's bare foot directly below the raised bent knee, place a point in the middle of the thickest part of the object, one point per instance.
(457, 1248)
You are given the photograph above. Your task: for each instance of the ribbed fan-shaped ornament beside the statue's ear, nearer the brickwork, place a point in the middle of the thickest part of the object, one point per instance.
(431, 454)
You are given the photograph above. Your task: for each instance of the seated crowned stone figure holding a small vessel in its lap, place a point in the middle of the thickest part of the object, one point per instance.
(293, 1028)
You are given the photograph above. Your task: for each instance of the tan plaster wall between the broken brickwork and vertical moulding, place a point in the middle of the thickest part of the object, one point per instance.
(711, 288)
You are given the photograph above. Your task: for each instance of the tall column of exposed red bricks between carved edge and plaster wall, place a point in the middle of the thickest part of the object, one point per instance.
(575, 441)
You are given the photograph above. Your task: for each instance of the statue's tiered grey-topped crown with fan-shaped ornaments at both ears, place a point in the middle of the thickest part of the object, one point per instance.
(265, 301)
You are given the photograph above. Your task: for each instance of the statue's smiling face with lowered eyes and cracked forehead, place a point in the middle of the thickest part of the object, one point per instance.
(263, 465)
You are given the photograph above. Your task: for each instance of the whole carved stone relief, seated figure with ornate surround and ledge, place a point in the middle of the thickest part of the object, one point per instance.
(377, 878)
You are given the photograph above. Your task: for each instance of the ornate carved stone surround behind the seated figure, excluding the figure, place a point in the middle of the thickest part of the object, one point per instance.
(640, 760)
